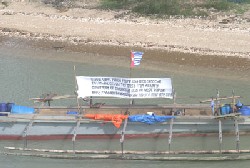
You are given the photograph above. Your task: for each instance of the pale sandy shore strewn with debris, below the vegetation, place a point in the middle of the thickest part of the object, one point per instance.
(91, 29)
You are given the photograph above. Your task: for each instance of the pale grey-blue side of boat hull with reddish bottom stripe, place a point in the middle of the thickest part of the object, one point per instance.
(65, 127)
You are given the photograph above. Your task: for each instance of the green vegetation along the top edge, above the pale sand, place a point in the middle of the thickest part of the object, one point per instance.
(176, 7)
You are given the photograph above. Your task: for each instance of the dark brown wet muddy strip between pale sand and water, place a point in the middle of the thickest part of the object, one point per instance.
(156, 55)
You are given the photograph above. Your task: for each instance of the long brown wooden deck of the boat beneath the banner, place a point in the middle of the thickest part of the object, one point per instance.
(184, 109)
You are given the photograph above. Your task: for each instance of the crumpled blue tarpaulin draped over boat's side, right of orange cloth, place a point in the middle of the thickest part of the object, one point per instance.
(149, 119)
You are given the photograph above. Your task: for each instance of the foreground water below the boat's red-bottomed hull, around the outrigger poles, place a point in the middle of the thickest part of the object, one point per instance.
(150, 144)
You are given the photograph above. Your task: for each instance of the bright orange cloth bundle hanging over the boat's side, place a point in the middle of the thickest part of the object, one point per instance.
(116, 119)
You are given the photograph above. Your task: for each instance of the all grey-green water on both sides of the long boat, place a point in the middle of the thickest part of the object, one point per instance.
(27, 73)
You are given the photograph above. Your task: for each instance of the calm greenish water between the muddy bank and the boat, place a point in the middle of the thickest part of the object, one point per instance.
(27, 73)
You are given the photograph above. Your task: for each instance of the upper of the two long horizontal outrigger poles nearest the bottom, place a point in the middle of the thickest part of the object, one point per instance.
(194, 152)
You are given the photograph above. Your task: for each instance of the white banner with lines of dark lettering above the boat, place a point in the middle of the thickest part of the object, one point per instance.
(124, 87)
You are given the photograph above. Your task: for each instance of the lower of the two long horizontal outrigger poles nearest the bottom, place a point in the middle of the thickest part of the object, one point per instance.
(136, 157)
